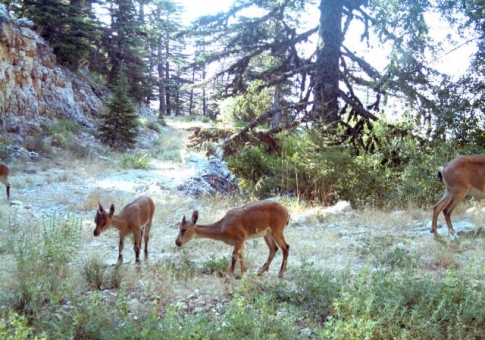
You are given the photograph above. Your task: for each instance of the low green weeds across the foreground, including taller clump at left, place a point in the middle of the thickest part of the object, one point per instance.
(392, 301)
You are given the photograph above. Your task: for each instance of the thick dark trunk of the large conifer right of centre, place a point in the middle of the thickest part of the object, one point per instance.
(327, 77)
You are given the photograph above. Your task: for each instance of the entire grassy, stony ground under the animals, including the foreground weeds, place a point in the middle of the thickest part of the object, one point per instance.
(366, 274)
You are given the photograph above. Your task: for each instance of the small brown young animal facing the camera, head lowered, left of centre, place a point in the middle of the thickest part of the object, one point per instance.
(135, 218)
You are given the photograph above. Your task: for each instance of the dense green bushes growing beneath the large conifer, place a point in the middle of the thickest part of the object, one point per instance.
(401, 171)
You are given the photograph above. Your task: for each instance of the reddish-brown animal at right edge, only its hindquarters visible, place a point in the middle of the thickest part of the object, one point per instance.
(463, 176)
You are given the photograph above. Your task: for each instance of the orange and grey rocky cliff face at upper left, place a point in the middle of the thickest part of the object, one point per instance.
(33, 87)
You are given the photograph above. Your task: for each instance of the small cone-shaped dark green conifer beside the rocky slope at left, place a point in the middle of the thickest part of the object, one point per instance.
(118, 126)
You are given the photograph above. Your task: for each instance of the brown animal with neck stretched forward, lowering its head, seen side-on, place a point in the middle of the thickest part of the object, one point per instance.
(260, 219)
